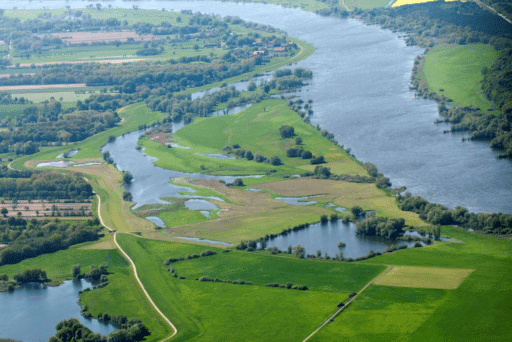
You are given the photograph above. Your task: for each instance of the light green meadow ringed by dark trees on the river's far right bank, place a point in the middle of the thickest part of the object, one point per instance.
(457, 70)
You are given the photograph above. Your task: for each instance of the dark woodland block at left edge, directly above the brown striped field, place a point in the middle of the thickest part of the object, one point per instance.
(44, 185)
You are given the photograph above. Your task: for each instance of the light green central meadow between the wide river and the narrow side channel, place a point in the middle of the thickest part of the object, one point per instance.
(255, 129)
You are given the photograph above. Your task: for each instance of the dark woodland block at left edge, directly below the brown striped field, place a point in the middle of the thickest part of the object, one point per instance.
(28, 239)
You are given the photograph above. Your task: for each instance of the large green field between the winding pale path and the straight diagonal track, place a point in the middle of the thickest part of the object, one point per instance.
(217, 311)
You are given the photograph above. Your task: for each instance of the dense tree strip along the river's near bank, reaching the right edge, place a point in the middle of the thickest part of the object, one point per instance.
(439, 214)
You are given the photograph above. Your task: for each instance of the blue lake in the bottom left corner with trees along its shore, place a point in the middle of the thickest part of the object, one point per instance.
(34, 306)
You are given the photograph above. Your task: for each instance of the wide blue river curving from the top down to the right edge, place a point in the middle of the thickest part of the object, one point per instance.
(360, 92)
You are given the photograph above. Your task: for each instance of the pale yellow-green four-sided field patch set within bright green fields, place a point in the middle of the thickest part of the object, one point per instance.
(424, 277)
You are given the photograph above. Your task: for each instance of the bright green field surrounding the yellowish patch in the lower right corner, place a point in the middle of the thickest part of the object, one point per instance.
(409, 314)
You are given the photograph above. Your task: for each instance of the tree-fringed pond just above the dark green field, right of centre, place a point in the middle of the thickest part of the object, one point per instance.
(325, 237)
